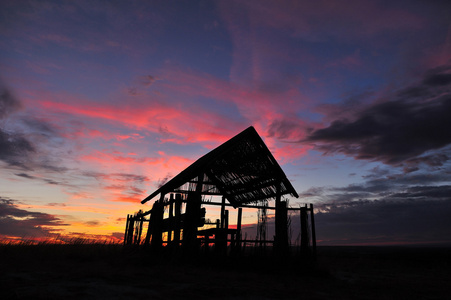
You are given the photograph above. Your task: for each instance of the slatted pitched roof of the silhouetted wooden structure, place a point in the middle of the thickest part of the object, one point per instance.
(242, 169)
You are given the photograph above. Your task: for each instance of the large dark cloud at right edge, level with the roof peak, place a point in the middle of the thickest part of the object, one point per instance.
(398, 131)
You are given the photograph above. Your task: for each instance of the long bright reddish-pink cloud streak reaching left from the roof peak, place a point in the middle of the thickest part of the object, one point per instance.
(175, 122)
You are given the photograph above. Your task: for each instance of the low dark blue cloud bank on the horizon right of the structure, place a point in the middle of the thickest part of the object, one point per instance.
(417, 217)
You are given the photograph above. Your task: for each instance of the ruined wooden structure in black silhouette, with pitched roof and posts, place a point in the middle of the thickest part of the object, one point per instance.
(245, 174)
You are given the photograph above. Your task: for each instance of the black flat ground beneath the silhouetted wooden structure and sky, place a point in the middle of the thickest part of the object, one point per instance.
(111, 272)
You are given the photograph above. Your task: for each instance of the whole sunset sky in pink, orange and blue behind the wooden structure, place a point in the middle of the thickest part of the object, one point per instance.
(102, 101)
